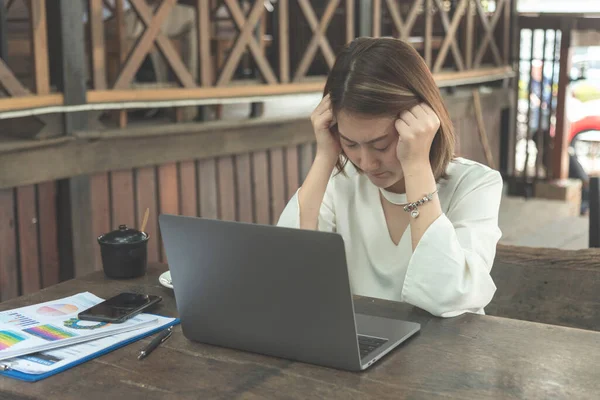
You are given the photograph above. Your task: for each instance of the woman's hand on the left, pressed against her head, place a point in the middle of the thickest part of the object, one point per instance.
(328, 144)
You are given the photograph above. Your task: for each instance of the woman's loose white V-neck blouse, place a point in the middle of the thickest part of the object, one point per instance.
(448, 274)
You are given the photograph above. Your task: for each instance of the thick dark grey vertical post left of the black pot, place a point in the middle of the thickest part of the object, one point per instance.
(76, 240)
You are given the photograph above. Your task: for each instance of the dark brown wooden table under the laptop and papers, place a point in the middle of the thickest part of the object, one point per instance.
(467, 357)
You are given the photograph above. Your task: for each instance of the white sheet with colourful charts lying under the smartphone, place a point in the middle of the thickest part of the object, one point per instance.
(54, 324)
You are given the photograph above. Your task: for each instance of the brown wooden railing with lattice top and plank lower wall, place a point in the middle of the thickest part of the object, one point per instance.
(59, 193)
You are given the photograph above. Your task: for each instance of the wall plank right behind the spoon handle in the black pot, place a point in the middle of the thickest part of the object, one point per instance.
(146, 197)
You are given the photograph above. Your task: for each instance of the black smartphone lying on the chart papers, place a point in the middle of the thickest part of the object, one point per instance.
(119, 308)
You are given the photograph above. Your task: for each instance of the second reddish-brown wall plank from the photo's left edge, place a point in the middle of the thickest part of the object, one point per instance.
(27, 227)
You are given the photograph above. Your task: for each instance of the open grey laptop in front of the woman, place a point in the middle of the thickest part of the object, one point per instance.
(271, 290)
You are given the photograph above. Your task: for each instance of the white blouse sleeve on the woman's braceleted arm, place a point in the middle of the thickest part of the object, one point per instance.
(449, 270)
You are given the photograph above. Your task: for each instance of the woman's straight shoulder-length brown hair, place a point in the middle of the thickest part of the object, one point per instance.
(382, 77)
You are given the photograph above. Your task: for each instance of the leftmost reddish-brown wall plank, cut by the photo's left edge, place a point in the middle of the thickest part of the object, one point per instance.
(9, 274)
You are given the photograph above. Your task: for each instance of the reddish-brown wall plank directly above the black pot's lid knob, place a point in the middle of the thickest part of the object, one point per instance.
(122, 201)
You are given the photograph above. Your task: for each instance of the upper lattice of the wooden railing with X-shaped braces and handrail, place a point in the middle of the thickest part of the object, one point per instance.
(249, 49)
